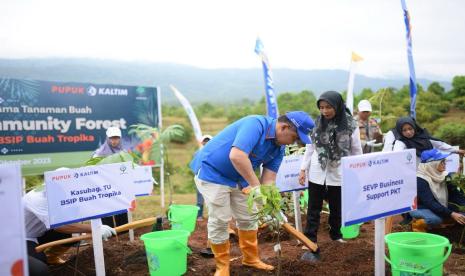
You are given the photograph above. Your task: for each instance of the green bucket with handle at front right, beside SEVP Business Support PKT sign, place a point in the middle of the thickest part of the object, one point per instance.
(415, 253)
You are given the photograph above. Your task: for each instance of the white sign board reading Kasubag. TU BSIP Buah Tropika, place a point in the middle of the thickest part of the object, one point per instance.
(88, 192)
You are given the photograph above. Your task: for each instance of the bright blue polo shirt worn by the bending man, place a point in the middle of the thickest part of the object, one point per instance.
(254, 135)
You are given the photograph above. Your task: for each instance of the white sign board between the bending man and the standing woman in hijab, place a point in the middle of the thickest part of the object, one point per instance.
(287, 178)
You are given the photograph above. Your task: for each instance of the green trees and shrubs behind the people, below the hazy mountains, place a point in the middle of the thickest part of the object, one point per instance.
(388, 105)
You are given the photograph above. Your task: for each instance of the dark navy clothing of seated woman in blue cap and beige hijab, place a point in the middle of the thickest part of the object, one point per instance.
(426, 199)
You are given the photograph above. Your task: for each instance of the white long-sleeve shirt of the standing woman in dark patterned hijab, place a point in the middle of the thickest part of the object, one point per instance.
(331, 175)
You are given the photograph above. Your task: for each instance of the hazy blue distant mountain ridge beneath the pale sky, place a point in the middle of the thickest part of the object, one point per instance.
(197, 84)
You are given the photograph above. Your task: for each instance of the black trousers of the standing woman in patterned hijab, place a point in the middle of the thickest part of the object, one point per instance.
(316, 194)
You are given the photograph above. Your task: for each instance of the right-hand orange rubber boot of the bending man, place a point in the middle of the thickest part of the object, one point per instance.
(249, 246)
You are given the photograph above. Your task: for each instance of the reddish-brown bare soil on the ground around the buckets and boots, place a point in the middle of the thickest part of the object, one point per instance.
(356, 257)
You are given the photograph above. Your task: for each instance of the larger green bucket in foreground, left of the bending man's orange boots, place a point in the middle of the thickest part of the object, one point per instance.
(167, 252)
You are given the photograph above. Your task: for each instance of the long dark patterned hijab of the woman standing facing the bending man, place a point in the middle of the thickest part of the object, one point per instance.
(332, 138)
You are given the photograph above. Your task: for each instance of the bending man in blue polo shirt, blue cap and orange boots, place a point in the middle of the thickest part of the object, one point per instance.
(225, 174)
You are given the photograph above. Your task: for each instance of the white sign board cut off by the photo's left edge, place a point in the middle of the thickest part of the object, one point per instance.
(13, 253)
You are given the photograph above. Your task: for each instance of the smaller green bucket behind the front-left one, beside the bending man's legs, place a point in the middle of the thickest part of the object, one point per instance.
(183, 217)
